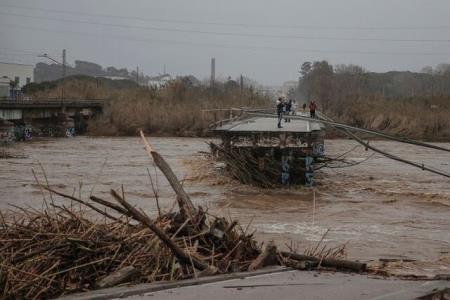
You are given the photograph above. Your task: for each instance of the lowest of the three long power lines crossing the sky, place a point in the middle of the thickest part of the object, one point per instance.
(225, 46)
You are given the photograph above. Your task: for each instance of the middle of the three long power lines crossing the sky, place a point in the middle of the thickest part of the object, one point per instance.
(222, 33)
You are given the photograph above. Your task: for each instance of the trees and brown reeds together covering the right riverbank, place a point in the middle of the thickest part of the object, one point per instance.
(416, 105)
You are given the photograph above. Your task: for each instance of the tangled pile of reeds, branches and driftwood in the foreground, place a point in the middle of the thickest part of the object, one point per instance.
(65, 249)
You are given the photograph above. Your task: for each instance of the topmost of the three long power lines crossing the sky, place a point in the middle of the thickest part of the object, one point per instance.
(176, 21)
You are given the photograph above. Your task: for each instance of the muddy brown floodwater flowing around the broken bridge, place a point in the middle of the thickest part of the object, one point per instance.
(381, 208)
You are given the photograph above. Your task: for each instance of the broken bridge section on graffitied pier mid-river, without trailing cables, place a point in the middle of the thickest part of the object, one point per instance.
(257, 152)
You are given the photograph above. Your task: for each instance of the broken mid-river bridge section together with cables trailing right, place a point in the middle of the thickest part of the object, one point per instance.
(256, 152)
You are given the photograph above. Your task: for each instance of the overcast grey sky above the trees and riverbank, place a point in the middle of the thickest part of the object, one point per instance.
(380, 35)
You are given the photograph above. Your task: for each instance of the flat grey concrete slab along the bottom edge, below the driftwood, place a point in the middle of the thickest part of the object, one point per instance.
(280, 285)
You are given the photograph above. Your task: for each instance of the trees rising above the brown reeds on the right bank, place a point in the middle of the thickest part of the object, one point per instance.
(332, 85)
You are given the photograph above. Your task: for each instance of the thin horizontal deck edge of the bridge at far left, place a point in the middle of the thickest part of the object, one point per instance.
(9, 103)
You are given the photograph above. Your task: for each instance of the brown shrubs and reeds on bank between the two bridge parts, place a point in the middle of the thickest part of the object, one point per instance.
(175, 109)
